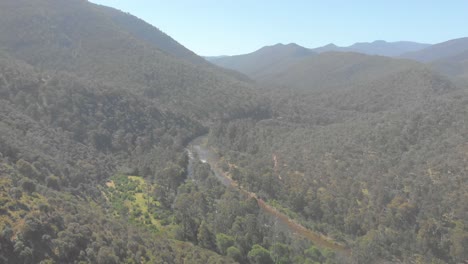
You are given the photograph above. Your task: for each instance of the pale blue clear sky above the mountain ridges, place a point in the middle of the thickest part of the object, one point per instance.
(228, 27)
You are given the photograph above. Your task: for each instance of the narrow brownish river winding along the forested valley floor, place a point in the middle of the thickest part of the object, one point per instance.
(207, 155)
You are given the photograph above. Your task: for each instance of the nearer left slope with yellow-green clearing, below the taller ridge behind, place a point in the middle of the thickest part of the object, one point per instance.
(71, 154)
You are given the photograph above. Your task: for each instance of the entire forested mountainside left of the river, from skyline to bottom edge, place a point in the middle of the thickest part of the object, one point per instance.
(97, 108)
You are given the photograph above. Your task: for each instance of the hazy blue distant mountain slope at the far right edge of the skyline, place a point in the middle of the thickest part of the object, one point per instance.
(439, 51)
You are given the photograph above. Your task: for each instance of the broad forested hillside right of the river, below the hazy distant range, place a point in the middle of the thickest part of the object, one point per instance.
(369, 150)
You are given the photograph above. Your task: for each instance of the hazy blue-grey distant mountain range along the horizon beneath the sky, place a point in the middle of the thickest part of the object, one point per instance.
(450, 57)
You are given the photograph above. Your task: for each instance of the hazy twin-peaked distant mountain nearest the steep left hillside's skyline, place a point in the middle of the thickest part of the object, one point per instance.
(265, 61)
